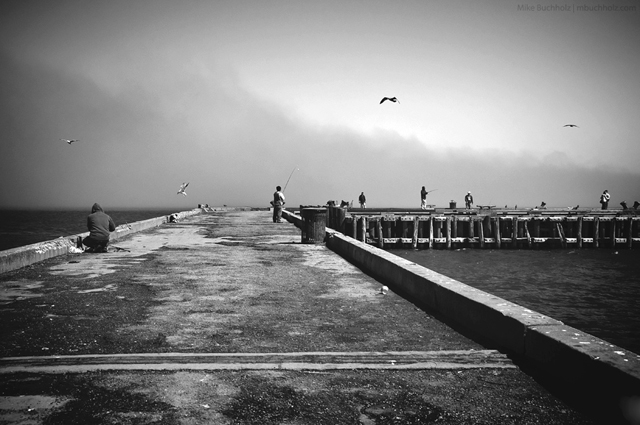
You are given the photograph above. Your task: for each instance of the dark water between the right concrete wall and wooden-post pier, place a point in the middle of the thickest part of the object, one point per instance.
(596, 291)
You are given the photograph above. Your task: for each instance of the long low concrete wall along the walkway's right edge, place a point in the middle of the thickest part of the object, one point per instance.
(572, 357)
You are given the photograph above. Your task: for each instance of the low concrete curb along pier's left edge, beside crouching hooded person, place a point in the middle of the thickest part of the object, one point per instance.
(15, 258)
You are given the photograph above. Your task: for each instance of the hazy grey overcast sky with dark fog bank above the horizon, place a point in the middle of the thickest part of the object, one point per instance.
(232, 96)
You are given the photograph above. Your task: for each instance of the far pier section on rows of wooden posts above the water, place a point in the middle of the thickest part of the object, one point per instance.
(488, 231)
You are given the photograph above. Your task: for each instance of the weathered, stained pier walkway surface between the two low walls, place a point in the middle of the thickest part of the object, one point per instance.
(236, 285)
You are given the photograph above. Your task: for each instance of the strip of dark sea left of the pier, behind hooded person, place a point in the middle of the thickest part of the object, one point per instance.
(24, 227)
